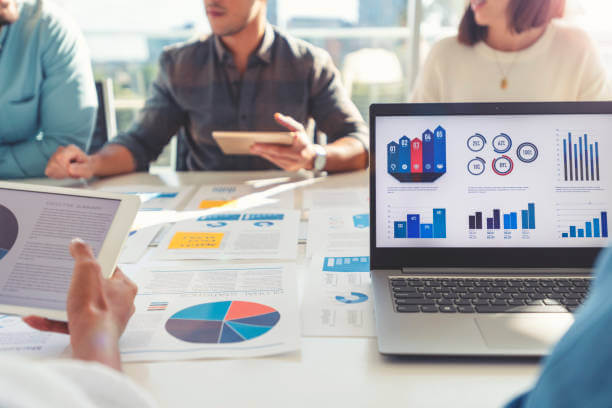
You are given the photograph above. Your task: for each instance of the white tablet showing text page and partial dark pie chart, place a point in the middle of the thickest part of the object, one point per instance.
(37, 224)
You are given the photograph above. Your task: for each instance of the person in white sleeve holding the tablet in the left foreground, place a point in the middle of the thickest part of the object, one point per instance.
(98, 311)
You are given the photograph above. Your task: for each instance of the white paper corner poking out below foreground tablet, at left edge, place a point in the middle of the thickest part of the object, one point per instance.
(18, 338)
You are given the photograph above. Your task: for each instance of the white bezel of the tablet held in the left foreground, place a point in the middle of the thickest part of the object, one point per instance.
(111, 247)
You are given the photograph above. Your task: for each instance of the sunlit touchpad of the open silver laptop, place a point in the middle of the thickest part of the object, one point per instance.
(523, 331)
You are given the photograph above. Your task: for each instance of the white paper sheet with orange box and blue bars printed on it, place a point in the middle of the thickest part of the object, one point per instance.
(235, 235)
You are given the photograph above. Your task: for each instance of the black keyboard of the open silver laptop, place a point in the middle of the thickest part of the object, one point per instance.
(528, 295)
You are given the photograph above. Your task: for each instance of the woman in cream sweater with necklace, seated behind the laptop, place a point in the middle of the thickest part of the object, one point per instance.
(510, 51)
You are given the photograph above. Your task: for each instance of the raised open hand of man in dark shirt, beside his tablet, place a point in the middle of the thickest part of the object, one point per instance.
(300, 155)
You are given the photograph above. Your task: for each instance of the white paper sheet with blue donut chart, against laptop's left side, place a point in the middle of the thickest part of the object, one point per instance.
(338, 298)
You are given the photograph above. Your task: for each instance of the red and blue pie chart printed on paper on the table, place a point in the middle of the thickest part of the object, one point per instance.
(222, 322)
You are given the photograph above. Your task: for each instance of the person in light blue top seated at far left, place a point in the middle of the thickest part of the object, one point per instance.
(47, 90)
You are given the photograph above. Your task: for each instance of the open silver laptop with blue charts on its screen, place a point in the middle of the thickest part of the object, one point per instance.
(486, 221)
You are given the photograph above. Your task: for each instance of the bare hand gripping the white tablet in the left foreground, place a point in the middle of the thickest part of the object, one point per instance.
(98, 309)
